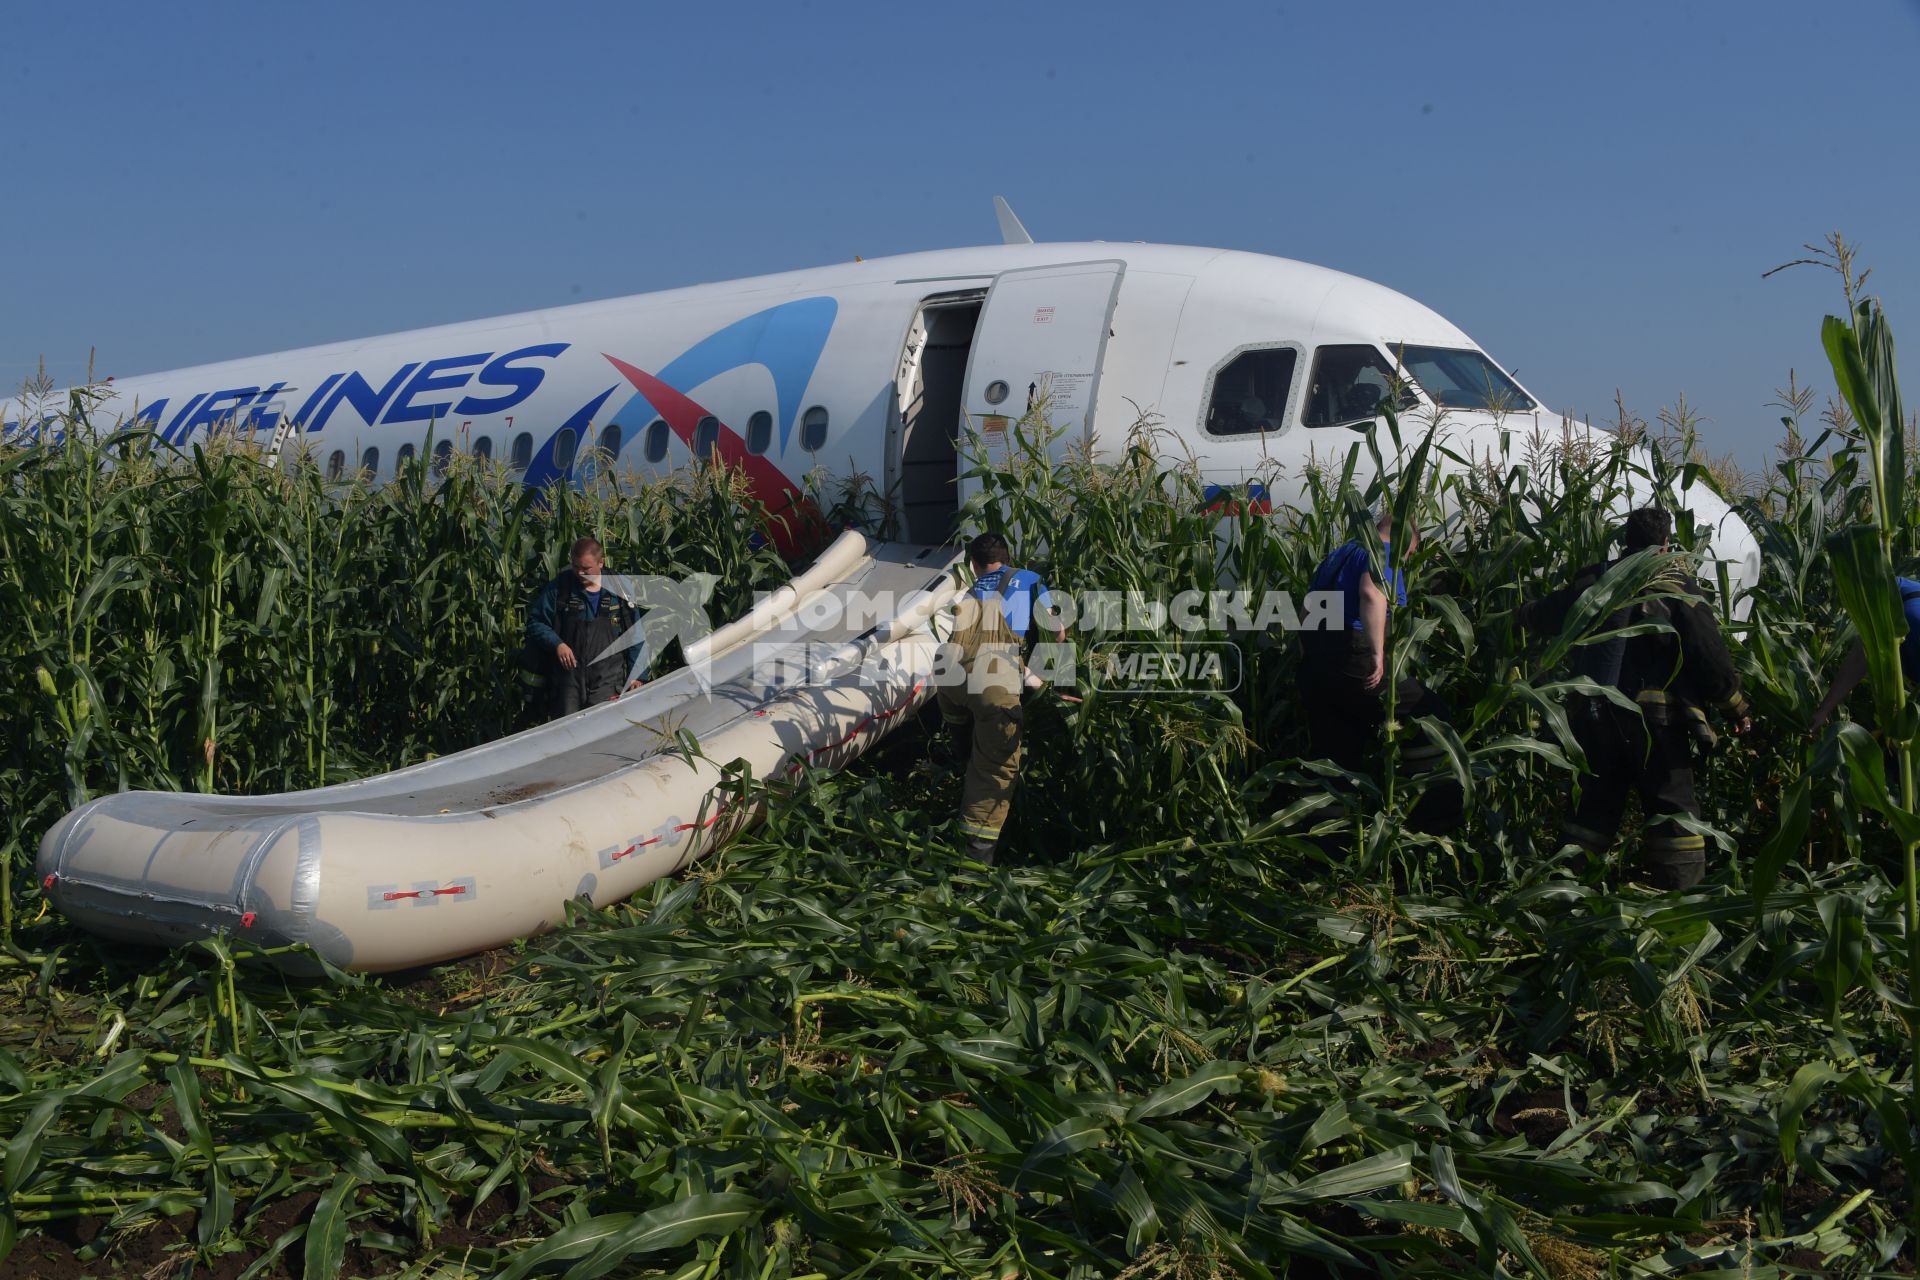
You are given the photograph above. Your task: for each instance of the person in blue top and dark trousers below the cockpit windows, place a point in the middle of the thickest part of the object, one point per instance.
(1343, 675)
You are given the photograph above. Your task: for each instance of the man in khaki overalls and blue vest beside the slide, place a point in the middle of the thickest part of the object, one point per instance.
(980, 680)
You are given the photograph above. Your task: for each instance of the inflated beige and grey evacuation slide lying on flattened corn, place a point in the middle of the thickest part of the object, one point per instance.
(471, 851)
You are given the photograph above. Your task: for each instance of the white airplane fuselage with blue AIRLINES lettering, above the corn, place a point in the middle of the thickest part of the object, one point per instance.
(1257, 366)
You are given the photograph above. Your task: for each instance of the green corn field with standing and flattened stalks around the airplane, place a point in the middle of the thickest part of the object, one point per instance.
(1209, 1016)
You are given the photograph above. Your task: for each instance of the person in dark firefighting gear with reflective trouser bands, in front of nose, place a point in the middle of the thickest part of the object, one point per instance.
(1675, 678)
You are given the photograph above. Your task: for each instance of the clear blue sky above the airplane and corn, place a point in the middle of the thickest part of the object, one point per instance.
(1591, 191)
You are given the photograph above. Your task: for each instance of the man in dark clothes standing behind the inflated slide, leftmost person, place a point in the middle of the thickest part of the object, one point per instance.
(575, 623)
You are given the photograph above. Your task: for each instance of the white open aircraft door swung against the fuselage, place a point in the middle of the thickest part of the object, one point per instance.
(1042, 339)
